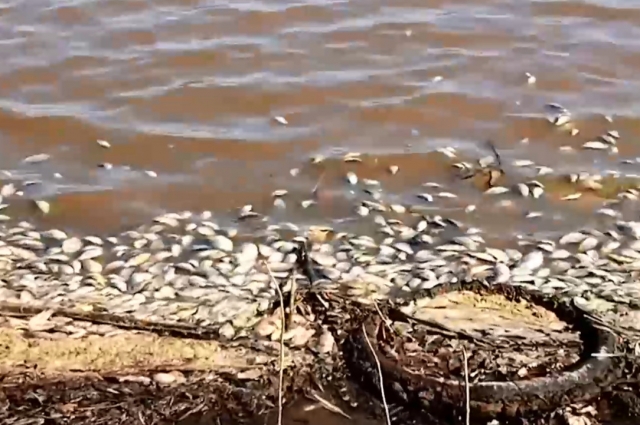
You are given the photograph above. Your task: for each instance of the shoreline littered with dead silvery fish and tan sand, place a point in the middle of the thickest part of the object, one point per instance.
(184, 276)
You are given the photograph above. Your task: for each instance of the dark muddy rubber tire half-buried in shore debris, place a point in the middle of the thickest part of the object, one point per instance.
(442, 399)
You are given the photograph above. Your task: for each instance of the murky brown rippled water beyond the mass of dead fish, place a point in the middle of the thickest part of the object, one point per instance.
(191, 89)
